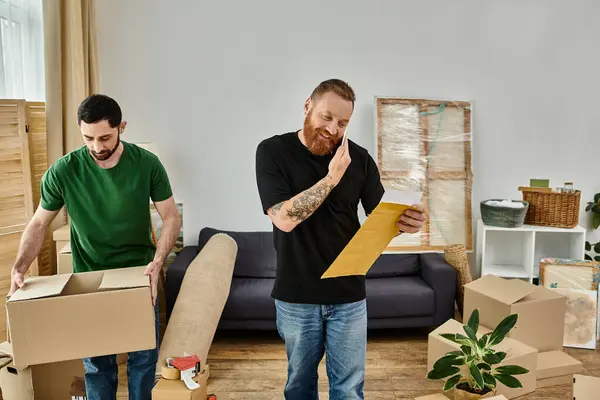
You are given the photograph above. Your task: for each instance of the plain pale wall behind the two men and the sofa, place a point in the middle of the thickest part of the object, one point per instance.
(207, 83)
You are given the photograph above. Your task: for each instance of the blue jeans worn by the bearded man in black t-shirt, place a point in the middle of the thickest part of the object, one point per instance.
(310, 331)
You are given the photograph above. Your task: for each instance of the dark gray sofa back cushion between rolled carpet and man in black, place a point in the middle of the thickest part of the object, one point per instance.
(256, 257)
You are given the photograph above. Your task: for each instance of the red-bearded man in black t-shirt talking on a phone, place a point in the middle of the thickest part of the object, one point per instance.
(310, 184)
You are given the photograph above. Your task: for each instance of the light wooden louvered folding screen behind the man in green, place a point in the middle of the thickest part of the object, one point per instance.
(23, 160)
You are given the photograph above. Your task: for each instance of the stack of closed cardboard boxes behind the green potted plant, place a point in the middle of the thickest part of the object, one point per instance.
(536, 341)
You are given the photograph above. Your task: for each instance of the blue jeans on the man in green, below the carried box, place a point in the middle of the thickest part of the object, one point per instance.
(101, 373)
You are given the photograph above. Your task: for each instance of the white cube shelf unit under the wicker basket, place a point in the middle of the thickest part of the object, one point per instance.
(516, 252)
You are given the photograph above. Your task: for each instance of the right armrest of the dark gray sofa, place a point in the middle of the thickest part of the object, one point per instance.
(440, 275)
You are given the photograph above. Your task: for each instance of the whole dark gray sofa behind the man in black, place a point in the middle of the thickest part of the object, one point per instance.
(403, 290)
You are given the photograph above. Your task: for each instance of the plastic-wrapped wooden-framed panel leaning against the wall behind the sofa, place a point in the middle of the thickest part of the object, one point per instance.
(425, 145)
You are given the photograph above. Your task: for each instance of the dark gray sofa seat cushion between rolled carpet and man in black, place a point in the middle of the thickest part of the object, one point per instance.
(250, 299)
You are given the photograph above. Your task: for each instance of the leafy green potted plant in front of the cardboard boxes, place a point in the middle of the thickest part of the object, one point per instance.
(474, 371)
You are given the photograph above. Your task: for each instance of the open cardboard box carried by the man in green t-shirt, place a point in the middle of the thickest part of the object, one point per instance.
(71, 316)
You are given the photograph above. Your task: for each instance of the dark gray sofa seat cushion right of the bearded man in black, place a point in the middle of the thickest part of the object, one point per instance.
(407, 296)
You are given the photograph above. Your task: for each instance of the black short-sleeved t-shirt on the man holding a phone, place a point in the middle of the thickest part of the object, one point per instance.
(285, 168)
